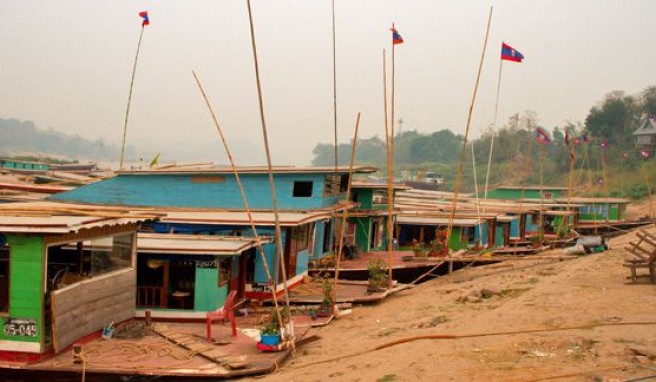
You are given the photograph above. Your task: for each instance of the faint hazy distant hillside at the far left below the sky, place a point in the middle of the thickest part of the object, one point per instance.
(24, 138)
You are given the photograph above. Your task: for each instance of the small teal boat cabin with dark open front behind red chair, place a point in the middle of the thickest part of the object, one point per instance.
(179, 275)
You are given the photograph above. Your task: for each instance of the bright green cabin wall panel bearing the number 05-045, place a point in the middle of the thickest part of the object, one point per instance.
(25, 283)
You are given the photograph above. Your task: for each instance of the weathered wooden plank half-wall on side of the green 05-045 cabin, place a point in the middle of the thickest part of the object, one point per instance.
(83, 308)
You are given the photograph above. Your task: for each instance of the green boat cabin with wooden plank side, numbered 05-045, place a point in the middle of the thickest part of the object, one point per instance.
(53, 268)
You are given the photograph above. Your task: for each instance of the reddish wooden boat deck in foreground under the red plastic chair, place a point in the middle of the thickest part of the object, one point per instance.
(175, 350)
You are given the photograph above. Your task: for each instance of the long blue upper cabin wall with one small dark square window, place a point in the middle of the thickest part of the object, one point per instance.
(181, 191)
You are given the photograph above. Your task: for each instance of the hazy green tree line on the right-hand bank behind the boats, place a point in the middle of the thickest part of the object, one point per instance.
(517, 156)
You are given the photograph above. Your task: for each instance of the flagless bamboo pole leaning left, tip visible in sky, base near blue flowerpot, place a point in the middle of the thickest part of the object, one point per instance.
(258, 241)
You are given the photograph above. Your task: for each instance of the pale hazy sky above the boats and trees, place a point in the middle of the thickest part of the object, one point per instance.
(67, 64)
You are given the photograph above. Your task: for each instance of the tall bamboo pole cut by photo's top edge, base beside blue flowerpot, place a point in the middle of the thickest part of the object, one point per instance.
(278, 234)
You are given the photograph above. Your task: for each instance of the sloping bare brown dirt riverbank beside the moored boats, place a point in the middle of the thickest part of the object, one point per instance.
(535, 320)
